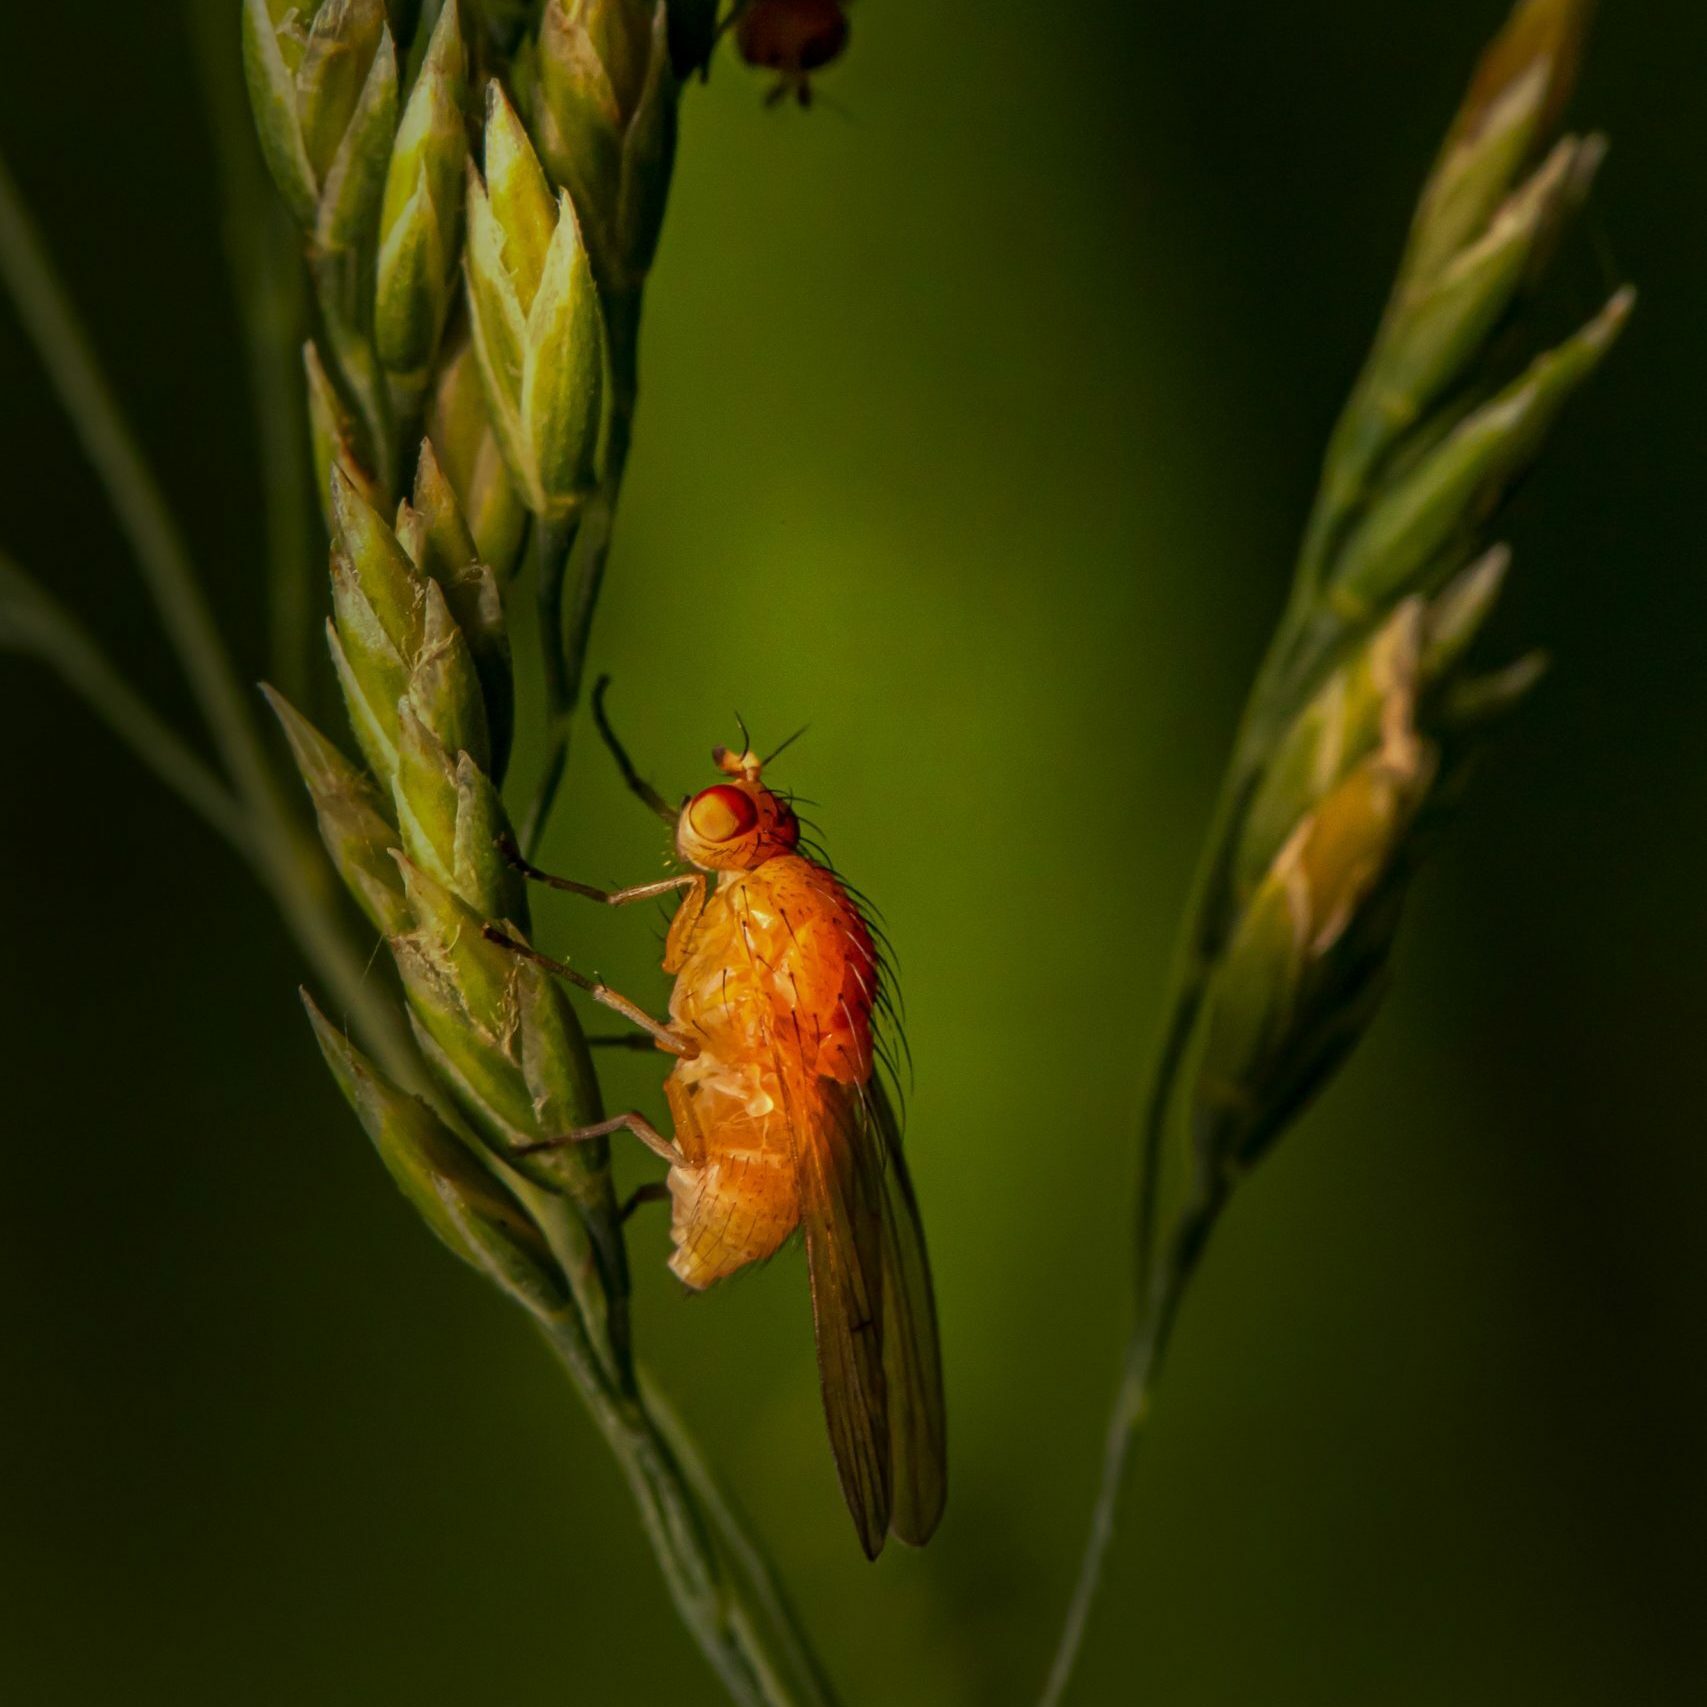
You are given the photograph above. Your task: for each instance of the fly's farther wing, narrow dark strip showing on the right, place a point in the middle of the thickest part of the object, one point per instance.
(912, 1358)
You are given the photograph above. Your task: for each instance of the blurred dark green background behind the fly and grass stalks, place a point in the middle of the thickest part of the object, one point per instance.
(982, 409)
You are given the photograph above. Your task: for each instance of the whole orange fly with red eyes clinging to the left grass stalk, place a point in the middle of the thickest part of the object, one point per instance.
(783, 1122)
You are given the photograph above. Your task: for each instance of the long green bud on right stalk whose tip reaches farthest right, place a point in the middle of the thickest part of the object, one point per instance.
(1452, 489)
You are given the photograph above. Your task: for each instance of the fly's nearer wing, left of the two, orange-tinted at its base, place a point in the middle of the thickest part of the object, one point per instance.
(842, 1213)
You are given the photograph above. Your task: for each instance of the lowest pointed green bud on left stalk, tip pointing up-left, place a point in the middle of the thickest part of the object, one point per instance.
(467, 1208)
